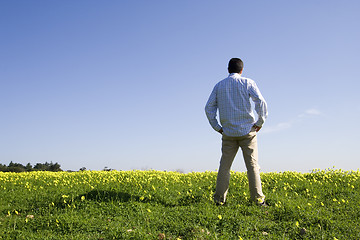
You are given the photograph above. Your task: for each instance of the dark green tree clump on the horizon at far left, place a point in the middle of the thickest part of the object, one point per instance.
(18, 167)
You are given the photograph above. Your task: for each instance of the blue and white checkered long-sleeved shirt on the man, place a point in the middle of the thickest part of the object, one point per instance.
(232, 97)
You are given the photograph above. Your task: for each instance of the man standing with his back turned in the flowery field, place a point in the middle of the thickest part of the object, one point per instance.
(231, 97)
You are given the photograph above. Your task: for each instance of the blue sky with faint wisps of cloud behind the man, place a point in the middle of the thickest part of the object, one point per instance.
(123, 84)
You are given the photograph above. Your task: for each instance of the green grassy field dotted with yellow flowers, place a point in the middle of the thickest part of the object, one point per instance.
(324, 204)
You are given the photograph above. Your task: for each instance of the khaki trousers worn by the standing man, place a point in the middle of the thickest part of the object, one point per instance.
(230, 146)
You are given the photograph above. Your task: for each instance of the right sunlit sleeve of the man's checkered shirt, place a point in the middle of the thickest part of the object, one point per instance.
(260, 104)
